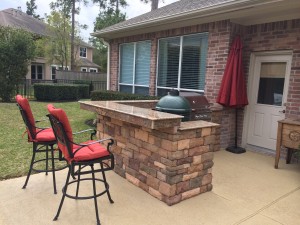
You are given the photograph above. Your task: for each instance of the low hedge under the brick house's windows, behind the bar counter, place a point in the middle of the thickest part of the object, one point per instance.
(114, 95)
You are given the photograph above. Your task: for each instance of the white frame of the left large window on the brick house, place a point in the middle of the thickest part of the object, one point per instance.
(133, 85)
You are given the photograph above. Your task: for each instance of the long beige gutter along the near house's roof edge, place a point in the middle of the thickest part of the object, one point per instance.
(203, 12)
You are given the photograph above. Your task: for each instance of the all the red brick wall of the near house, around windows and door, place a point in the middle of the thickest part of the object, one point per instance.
(283, 35)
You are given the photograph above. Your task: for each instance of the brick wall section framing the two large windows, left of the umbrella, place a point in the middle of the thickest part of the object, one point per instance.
(219, 39)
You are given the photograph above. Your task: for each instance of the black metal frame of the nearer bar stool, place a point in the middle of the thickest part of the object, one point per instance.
(62, 137)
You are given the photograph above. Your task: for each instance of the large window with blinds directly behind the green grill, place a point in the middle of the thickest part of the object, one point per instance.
(182, 63)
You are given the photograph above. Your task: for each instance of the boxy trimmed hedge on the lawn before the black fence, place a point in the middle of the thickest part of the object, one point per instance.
(57, 92)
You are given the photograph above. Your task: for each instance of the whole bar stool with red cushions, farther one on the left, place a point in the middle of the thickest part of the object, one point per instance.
(41, 138)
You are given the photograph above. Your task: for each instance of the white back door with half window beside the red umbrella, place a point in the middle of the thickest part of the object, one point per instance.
(267, 98)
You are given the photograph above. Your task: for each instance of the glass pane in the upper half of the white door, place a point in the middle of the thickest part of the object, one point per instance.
(271, 83)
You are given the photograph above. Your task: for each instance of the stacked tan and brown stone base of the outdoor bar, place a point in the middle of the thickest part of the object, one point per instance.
(171, 166)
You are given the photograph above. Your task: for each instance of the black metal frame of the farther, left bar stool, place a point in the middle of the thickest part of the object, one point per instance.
(40, 147)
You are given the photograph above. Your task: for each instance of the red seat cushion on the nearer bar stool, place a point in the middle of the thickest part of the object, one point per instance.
(90, 152)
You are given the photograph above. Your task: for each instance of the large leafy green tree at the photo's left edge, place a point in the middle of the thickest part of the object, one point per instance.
(17, 49)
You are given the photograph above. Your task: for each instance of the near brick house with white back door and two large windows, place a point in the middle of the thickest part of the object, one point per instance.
(185, 45)
